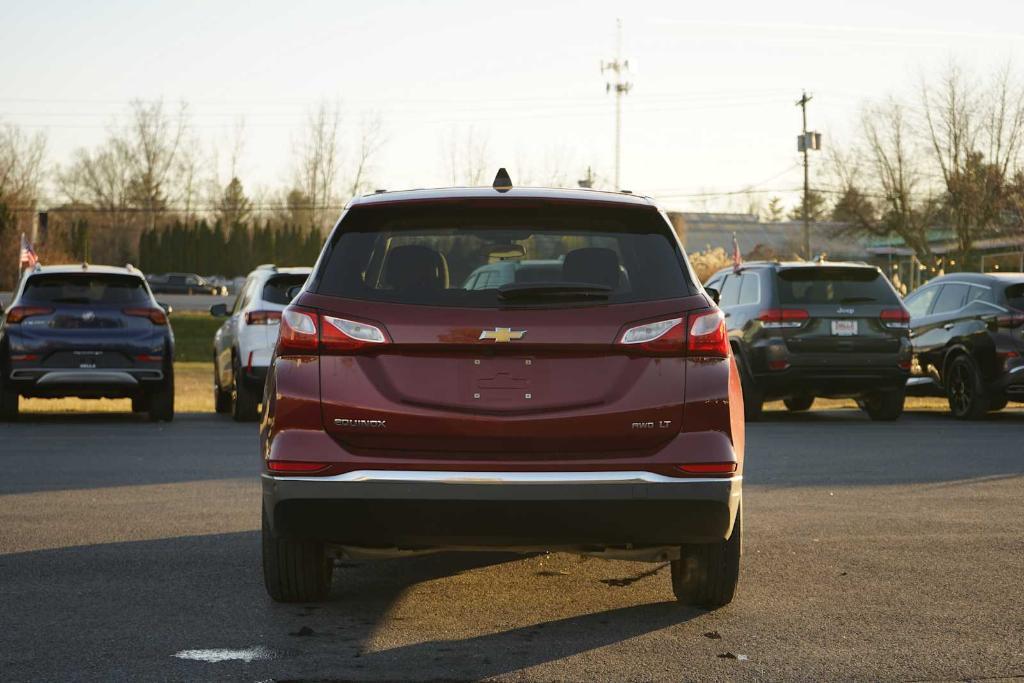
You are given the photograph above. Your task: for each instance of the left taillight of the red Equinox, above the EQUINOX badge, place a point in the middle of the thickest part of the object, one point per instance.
(306, 332)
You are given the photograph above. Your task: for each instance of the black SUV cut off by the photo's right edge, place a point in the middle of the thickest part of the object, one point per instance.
(968, 334)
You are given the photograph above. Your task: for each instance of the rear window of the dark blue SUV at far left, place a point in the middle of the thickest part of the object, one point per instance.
(86, 289)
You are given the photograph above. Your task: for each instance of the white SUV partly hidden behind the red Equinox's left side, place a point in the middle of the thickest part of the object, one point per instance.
(244, 345)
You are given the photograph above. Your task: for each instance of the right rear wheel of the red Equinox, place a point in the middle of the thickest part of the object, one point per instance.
(707, 575)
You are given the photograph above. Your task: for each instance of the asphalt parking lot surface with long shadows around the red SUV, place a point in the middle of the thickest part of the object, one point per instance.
(874, 551)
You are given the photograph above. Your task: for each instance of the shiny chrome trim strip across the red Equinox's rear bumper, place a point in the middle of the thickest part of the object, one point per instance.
(416, 477)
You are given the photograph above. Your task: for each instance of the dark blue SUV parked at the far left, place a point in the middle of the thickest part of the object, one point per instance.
(87, 331)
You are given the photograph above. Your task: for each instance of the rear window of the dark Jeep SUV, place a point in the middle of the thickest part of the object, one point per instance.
(817, 285)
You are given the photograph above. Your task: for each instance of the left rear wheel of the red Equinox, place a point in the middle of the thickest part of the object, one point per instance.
(295, 571)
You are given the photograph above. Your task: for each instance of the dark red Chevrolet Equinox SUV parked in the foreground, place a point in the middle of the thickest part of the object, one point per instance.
(518, 369)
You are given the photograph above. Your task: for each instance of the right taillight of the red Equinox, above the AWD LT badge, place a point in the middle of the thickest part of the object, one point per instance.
(701, 334)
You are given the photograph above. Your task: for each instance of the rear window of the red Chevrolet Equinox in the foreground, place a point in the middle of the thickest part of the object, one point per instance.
(459, 254)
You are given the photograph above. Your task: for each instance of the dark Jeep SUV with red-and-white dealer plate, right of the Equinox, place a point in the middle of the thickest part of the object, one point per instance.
(801, 330)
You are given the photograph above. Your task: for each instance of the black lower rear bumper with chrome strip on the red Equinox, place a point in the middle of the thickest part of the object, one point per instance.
(420, 509)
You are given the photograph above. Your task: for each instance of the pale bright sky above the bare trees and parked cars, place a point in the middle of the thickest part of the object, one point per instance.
(712, 108)
